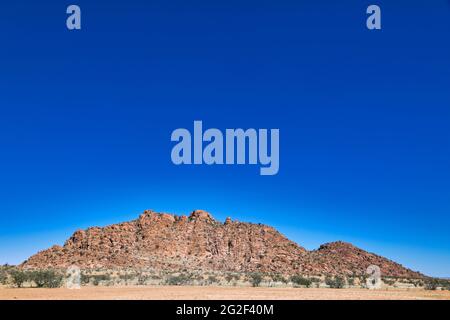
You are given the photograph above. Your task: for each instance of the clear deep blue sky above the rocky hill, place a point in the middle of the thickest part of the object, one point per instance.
(364, 119)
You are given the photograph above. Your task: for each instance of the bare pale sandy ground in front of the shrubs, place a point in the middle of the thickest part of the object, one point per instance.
(219, 293)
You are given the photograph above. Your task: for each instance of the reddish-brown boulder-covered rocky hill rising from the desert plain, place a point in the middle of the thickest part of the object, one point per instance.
(167, 242)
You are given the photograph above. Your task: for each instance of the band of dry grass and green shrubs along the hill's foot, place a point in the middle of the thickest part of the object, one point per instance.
(17, 277)
